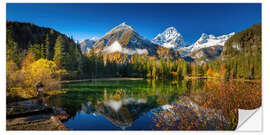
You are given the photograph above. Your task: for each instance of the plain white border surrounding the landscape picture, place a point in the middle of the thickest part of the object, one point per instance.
(265, 70)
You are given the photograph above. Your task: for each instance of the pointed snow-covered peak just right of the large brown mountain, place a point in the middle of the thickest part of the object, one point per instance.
(170, 38)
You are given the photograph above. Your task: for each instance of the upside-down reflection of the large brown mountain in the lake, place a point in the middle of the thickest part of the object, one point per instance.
(121, 113)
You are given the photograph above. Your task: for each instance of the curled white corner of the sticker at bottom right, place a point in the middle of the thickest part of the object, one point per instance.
(249, 120)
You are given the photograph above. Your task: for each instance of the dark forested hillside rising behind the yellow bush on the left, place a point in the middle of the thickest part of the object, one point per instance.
(25, 38)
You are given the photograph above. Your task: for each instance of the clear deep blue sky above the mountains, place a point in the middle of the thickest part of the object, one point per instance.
(87, 20)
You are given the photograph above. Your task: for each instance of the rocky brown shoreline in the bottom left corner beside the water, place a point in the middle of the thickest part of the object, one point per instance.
(29, 115)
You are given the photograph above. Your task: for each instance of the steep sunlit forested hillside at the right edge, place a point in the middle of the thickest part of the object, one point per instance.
(242, 56)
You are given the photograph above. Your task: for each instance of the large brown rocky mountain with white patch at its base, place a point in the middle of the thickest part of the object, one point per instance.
(124, 39)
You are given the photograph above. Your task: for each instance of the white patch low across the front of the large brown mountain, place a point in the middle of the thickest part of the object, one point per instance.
(116, 47)
